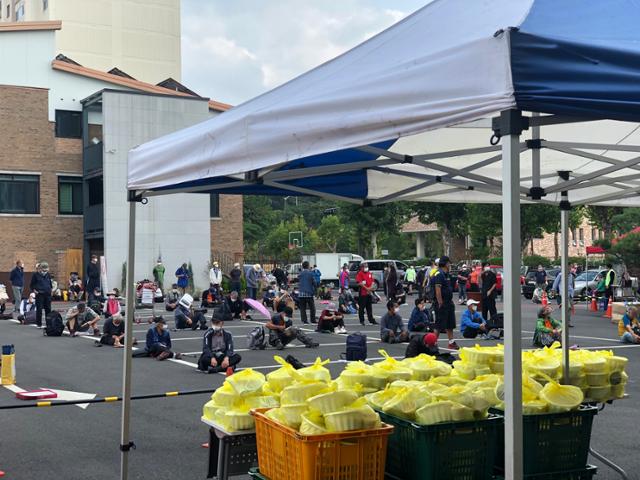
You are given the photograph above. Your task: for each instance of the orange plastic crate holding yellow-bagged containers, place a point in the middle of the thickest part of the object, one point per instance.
(285, 454)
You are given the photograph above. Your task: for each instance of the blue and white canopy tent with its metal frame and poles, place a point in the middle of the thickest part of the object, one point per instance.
(407, 115)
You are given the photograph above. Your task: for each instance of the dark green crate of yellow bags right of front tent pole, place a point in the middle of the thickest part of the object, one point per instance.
(553, 442)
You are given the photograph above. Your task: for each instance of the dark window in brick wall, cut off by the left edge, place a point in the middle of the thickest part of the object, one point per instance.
(19, 194)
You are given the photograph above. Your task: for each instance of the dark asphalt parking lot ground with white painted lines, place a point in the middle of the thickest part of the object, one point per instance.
(76, 443)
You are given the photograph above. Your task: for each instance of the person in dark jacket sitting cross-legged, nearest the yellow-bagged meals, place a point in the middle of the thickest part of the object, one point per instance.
(217, 350)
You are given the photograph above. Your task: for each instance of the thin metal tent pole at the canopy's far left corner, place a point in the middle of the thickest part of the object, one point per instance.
(125, 442)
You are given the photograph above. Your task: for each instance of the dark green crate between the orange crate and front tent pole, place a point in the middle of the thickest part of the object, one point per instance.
(452, 451)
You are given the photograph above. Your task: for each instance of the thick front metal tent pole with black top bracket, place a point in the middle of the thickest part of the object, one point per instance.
(510, 129)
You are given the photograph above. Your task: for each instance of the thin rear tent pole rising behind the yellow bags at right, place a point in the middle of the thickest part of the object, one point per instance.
(565, 208)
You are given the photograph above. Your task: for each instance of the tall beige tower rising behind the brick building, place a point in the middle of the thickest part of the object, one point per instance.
(140, 37)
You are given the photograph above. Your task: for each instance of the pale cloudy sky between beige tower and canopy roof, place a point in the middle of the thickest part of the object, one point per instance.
(233, 50)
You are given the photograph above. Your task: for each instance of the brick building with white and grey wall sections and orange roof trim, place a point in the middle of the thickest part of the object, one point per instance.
(61, 173)
